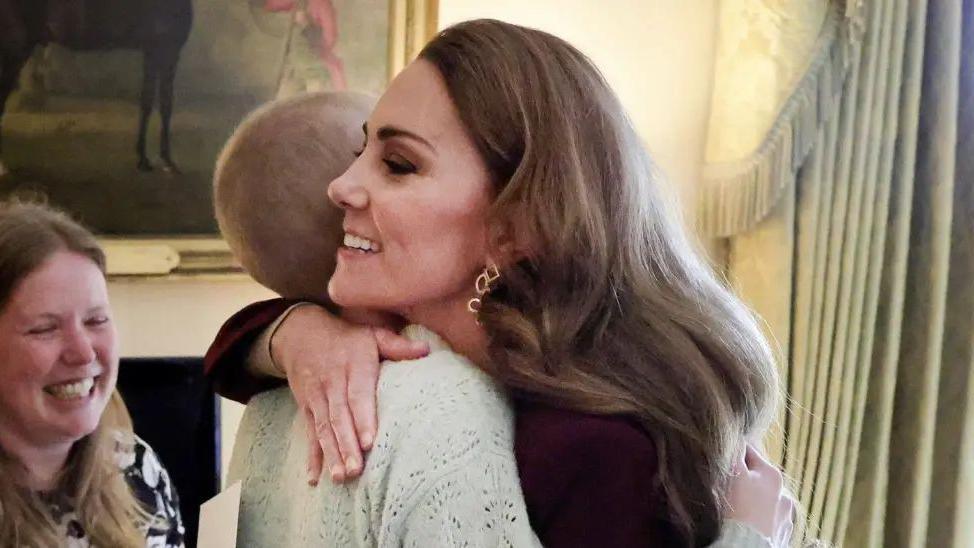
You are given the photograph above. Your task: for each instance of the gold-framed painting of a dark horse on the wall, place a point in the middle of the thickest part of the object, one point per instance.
(117, 109)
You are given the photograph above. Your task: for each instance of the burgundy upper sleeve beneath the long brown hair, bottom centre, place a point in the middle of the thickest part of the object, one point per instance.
(590, 481)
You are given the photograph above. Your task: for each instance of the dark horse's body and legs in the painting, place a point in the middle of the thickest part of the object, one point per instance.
(157, 28)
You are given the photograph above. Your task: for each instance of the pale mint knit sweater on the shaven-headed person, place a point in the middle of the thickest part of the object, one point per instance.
(441, 473)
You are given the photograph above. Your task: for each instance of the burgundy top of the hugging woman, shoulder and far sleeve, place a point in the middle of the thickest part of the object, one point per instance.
(588, 480)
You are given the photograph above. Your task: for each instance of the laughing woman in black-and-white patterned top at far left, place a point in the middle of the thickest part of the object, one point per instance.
(72, 473)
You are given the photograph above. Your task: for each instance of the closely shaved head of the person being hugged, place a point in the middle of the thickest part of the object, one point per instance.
(270, 189)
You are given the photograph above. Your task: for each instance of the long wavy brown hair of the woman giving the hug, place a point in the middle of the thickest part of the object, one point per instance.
(613, 311)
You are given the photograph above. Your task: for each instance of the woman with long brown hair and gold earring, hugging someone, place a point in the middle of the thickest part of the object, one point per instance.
(501, 175)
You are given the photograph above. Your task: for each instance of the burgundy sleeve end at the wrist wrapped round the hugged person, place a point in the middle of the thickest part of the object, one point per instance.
(224, 359)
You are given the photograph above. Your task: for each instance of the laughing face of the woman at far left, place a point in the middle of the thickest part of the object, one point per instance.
(58, 354)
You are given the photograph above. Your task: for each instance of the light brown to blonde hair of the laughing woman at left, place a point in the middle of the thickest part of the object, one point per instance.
(30, 232)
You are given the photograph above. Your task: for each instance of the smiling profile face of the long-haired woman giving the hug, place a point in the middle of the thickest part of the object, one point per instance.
(415, 203)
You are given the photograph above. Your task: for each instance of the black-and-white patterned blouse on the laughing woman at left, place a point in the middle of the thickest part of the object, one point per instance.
(149, 481)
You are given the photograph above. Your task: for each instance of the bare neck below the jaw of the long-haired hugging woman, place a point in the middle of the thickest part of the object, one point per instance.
(458, 327)
